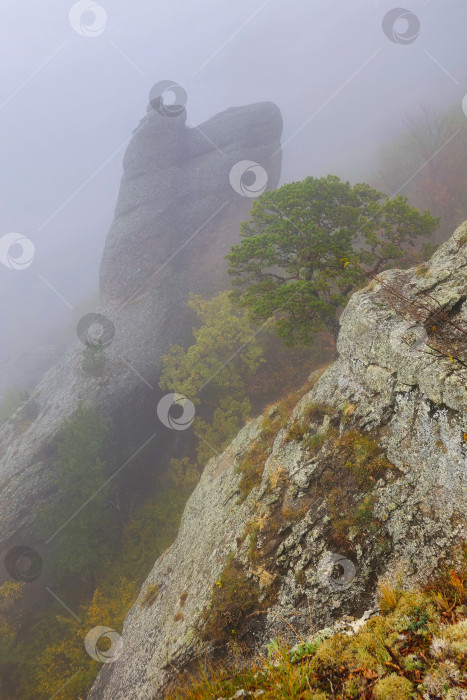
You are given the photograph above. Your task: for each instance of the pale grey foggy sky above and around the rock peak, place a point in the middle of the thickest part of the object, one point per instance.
(68, 104)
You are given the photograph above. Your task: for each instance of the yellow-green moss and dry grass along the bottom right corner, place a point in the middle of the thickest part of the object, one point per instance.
(416, 647)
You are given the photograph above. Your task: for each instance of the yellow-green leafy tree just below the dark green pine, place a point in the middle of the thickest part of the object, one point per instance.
(231, 370)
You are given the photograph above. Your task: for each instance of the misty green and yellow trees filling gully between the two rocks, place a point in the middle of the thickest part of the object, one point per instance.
(99, 563)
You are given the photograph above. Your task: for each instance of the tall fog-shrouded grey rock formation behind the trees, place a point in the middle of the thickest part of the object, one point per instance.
(177, 216)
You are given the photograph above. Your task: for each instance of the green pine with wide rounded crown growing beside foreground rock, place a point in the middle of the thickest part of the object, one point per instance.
(289, 268)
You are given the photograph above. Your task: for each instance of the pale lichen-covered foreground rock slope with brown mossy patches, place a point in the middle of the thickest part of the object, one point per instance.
(364, 477)
